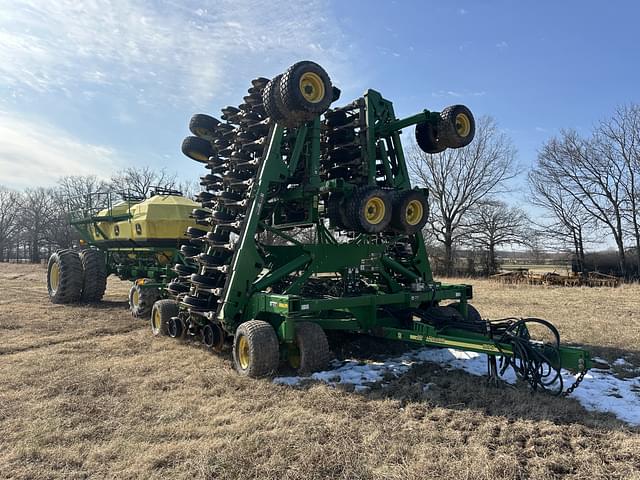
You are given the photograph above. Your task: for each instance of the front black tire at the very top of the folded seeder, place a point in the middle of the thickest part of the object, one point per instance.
(293, 98)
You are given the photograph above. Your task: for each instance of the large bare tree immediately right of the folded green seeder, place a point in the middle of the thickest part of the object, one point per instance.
(458, 179)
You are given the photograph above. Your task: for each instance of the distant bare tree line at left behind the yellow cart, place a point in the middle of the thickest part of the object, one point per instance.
(34, 222)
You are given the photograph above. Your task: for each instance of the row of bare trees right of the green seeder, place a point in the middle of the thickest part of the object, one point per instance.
(587, 185)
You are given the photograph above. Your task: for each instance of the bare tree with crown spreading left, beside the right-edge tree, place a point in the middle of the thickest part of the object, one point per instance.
(581, 170)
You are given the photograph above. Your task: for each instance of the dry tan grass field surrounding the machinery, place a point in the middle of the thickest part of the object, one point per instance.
(86, 392)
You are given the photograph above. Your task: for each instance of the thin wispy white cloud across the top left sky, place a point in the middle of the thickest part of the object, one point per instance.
(159, 52)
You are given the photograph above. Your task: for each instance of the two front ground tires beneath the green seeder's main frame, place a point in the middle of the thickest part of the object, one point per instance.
(256, 350)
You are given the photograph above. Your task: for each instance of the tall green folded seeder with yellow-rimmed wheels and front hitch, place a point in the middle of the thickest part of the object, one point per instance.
(308, 224)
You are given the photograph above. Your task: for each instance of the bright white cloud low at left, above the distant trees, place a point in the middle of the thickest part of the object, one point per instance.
(35, 152)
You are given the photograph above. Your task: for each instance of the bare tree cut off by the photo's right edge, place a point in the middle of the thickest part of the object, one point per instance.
(618, 140)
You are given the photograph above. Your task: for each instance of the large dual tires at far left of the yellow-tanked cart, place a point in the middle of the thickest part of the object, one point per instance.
(76, 276)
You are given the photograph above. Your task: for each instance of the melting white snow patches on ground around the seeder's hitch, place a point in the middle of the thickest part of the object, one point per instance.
(599, 391)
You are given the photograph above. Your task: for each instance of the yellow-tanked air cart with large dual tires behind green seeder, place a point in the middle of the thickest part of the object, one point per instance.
(135, 238)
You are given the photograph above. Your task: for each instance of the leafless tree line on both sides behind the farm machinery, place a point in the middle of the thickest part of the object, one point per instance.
(587, 186)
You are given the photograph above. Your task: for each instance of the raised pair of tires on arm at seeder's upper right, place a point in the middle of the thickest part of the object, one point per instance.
(455, 128)
